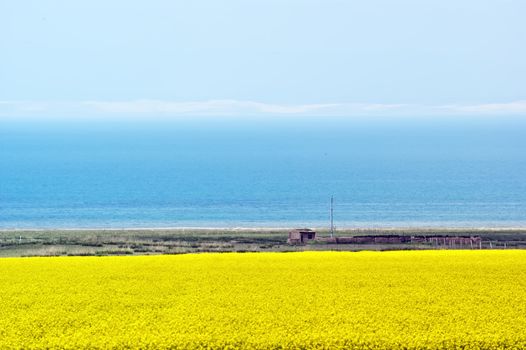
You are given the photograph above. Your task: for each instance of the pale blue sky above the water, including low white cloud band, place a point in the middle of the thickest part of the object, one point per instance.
(294, 57)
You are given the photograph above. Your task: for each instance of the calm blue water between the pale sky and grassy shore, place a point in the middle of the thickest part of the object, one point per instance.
(263, 173)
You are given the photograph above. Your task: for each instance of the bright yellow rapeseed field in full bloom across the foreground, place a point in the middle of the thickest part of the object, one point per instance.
(414, 299)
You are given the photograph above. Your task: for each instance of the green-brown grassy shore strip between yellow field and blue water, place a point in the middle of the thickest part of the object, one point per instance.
(182, 240)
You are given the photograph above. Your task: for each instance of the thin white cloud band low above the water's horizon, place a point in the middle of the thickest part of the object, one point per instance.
(236, 108)
